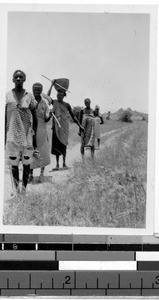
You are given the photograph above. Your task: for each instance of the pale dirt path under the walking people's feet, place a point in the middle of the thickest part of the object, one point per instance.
(73, 154)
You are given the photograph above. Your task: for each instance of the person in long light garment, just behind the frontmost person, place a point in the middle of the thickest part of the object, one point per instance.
(44, 115)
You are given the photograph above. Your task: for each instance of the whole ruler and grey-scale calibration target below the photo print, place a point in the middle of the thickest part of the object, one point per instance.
(67, 265)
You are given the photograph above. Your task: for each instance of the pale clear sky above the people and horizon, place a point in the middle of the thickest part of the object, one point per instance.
(105, 56)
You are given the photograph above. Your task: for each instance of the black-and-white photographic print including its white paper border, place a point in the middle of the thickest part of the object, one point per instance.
(79, 114)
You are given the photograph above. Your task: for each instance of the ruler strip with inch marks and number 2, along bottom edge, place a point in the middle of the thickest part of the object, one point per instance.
(110, 283)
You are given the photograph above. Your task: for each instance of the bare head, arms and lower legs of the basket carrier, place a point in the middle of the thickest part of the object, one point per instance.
(60, 97)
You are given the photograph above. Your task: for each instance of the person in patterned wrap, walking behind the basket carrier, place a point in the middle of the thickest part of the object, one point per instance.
(88, 123)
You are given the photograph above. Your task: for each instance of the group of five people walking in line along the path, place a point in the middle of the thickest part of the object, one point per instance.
(26, 139)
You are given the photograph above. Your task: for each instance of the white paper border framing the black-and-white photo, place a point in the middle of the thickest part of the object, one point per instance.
(152, 10)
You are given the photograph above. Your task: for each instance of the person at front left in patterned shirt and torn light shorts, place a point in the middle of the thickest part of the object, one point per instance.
(20, 129)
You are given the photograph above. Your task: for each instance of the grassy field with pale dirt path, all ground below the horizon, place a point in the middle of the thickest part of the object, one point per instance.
(109, 191)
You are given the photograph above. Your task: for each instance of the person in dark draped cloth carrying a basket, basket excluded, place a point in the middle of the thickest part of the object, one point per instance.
(60, 128)
